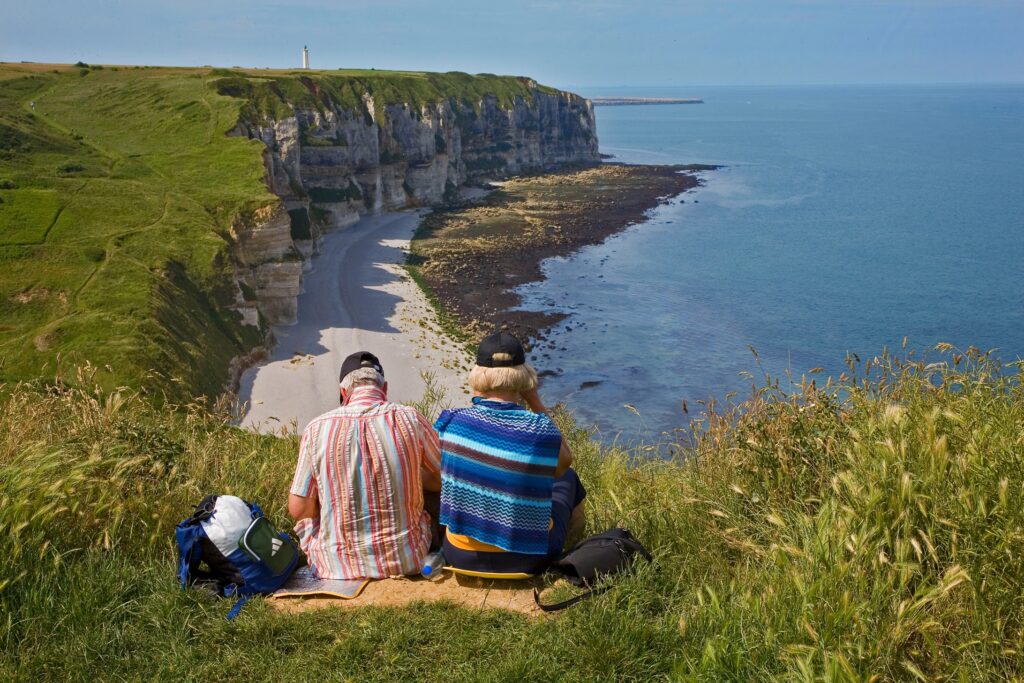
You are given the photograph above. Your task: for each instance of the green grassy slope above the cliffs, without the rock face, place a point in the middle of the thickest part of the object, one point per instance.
(113, 239)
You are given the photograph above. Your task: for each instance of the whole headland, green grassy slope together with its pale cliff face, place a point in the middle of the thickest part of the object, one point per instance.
(137, 233)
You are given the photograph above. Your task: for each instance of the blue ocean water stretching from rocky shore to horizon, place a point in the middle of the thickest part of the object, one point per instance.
(845, 220)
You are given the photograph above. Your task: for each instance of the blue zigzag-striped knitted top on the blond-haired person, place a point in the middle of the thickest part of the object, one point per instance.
(498, 469)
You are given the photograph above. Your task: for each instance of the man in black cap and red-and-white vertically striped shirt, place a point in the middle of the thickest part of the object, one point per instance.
(358, 496)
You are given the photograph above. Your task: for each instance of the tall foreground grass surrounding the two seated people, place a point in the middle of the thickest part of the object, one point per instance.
(863, 530)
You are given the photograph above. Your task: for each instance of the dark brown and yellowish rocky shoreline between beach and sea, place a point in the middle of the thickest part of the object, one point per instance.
(472, 259)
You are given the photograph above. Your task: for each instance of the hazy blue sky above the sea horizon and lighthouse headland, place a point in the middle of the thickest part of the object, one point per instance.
(566, 44)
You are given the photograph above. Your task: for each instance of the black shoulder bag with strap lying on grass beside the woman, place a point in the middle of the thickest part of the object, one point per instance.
(608, 553)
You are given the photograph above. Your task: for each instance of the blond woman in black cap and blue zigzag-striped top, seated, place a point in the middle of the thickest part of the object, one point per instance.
(508, 495)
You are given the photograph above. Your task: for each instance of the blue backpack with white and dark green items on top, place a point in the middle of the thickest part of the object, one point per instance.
(244, 554)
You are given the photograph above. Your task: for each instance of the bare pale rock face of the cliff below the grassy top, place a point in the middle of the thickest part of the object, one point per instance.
(330, 166)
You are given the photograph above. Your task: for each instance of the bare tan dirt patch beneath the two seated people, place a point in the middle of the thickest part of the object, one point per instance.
(474, 593)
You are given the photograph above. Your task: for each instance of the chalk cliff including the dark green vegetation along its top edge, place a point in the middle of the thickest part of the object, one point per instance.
(339, 148)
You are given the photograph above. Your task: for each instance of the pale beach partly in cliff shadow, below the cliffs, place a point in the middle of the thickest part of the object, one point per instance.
(358, 297)
